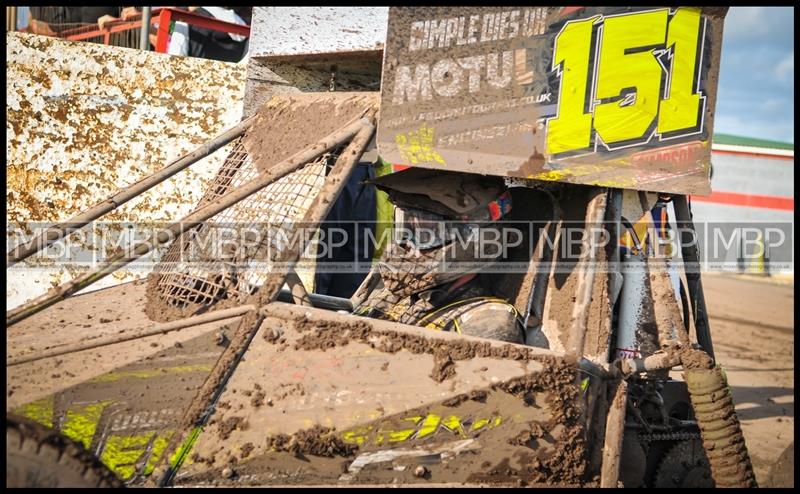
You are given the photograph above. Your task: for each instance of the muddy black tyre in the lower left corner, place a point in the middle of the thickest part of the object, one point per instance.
(37, 456)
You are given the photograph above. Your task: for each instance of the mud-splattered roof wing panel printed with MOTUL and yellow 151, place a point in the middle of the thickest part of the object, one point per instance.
(612, 96)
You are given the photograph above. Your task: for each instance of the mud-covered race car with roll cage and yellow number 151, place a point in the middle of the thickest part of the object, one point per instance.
(223, 376)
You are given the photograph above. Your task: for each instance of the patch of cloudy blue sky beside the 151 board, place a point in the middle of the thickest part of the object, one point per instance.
(755, 96)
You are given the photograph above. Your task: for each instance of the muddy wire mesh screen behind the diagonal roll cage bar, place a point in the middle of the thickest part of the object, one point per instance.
(229, 256)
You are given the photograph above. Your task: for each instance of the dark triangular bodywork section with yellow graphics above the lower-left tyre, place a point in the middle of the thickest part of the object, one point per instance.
(127, 416)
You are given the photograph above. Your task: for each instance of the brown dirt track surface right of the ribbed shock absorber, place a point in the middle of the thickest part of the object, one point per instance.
(752, 327)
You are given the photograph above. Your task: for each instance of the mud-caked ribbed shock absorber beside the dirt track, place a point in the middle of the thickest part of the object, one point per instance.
(719, 426)
